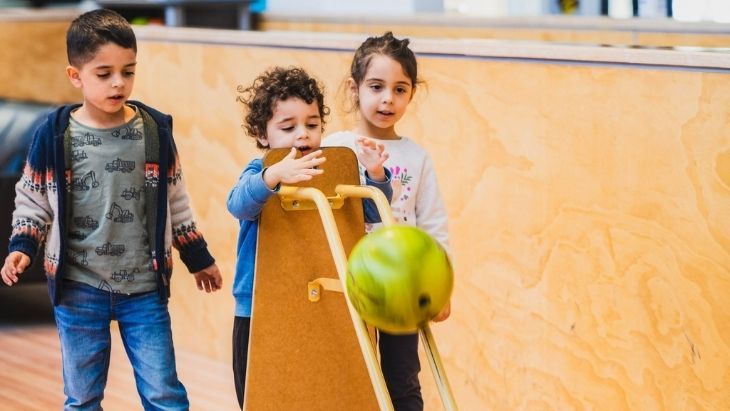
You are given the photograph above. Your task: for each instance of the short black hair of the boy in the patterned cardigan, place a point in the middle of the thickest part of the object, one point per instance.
(94, 29)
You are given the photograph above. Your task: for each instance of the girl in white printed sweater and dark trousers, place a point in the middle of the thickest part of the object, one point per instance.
(383, 80)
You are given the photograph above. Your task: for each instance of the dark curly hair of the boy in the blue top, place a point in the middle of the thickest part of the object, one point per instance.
(274, 85)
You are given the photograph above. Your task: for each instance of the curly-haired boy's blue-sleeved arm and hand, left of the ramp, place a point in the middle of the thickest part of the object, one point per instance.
(256, 184)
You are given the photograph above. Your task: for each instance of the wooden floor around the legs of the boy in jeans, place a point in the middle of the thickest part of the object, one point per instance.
(30, 363)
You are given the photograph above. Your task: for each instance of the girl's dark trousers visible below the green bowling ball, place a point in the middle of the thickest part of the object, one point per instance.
(400, 364)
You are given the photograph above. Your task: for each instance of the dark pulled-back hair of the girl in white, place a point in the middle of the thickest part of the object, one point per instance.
(389, 46)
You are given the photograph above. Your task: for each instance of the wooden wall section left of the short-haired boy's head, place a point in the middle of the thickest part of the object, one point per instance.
(34, 56)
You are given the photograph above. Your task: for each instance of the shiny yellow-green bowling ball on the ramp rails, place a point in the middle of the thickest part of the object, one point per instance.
(398, 278)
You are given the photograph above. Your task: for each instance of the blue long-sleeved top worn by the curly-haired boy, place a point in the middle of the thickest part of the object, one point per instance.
(245, 202)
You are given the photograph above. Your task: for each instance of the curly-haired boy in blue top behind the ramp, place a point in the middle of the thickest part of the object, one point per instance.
(285, 110)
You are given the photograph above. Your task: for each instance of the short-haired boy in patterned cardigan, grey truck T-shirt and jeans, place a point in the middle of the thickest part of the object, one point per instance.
(103, 188)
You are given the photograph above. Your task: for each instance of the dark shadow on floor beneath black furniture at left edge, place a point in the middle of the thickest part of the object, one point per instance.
(25, 305)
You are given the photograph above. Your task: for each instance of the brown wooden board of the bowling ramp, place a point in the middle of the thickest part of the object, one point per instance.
(305, 355)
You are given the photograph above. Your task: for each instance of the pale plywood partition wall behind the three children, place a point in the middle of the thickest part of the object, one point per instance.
(588, 210)
